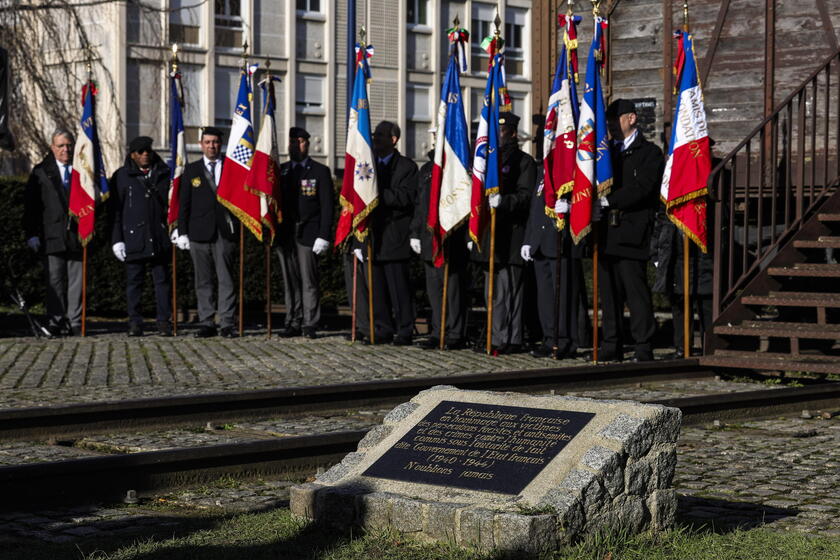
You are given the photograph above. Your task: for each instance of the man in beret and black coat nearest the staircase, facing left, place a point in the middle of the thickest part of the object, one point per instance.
(626, 217)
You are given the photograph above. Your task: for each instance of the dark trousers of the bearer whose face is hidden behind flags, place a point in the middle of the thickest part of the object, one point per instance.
(568, 321)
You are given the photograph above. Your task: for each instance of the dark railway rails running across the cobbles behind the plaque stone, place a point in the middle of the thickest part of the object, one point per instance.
(110, 477)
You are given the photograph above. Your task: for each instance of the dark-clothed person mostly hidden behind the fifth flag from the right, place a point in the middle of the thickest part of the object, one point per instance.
(458, 257)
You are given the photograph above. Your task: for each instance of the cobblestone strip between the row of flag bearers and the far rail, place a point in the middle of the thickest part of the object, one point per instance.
(113, 367)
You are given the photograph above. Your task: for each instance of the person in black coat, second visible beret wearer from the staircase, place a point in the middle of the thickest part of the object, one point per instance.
(518, 176)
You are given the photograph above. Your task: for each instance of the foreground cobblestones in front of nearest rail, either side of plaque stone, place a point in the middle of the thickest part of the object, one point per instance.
(779, 473)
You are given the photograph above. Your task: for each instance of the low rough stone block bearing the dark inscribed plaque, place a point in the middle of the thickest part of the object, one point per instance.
(504, 471)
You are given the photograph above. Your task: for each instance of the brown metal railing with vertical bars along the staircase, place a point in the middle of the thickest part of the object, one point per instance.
(766, 187)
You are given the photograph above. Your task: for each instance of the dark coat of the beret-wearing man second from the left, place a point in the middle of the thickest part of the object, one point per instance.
(138, 209)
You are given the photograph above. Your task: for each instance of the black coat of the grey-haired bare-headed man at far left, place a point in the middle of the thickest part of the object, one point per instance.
(45, 210)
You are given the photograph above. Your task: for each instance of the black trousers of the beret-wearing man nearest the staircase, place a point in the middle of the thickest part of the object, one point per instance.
(624, 281)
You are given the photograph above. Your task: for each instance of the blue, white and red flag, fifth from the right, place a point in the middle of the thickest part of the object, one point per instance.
(451, 186)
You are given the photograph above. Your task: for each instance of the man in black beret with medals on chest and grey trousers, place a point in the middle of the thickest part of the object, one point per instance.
(307, 206)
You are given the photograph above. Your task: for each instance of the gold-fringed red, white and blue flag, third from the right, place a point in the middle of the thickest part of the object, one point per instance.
(560, 131)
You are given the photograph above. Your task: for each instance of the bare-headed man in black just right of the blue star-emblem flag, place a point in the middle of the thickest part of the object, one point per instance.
(390, 223)
